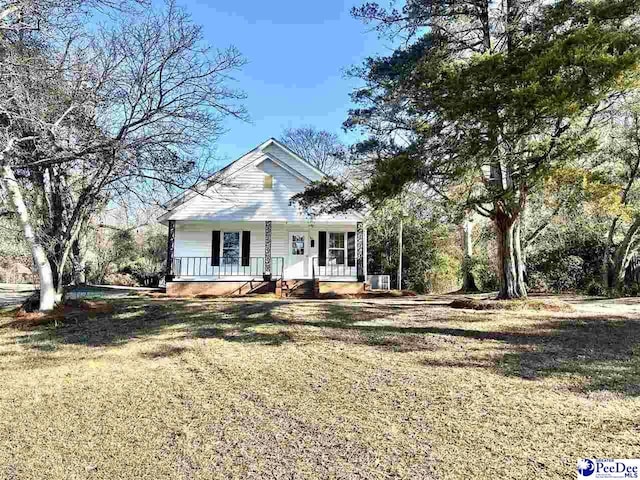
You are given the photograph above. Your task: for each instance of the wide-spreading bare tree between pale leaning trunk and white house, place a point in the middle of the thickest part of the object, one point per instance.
(134, 110)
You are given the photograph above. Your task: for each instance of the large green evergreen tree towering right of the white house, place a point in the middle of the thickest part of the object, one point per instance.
(483, 98)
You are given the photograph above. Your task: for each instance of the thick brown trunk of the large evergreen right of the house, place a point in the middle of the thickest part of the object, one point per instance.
(510, 259)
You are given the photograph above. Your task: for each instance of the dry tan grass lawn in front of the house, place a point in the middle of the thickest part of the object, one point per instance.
(400, 388)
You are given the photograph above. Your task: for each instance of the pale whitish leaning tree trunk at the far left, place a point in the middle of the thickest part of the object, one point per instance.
(47, 289)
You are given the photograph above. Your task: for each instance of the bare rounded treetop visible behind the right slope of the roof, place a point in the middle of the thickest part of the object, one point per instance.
(320, 148)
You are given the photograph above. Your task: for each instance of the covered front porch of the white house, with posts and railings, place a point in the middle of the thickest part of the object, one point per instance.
(253, 251)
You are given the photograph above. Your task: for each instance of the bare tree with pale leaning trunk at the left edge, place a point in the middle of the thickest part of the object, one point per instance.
(29, 32)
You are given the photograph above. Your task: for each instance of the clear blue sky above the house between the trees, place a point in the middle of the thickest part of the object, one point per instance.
(297, 52)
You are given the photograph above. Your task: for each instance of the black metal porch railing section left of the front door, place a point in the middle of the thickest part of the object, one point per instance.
(229, 267)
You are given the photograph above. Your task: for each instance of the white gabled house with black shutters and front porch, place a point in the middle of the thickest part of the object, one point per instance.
(244, 234)
